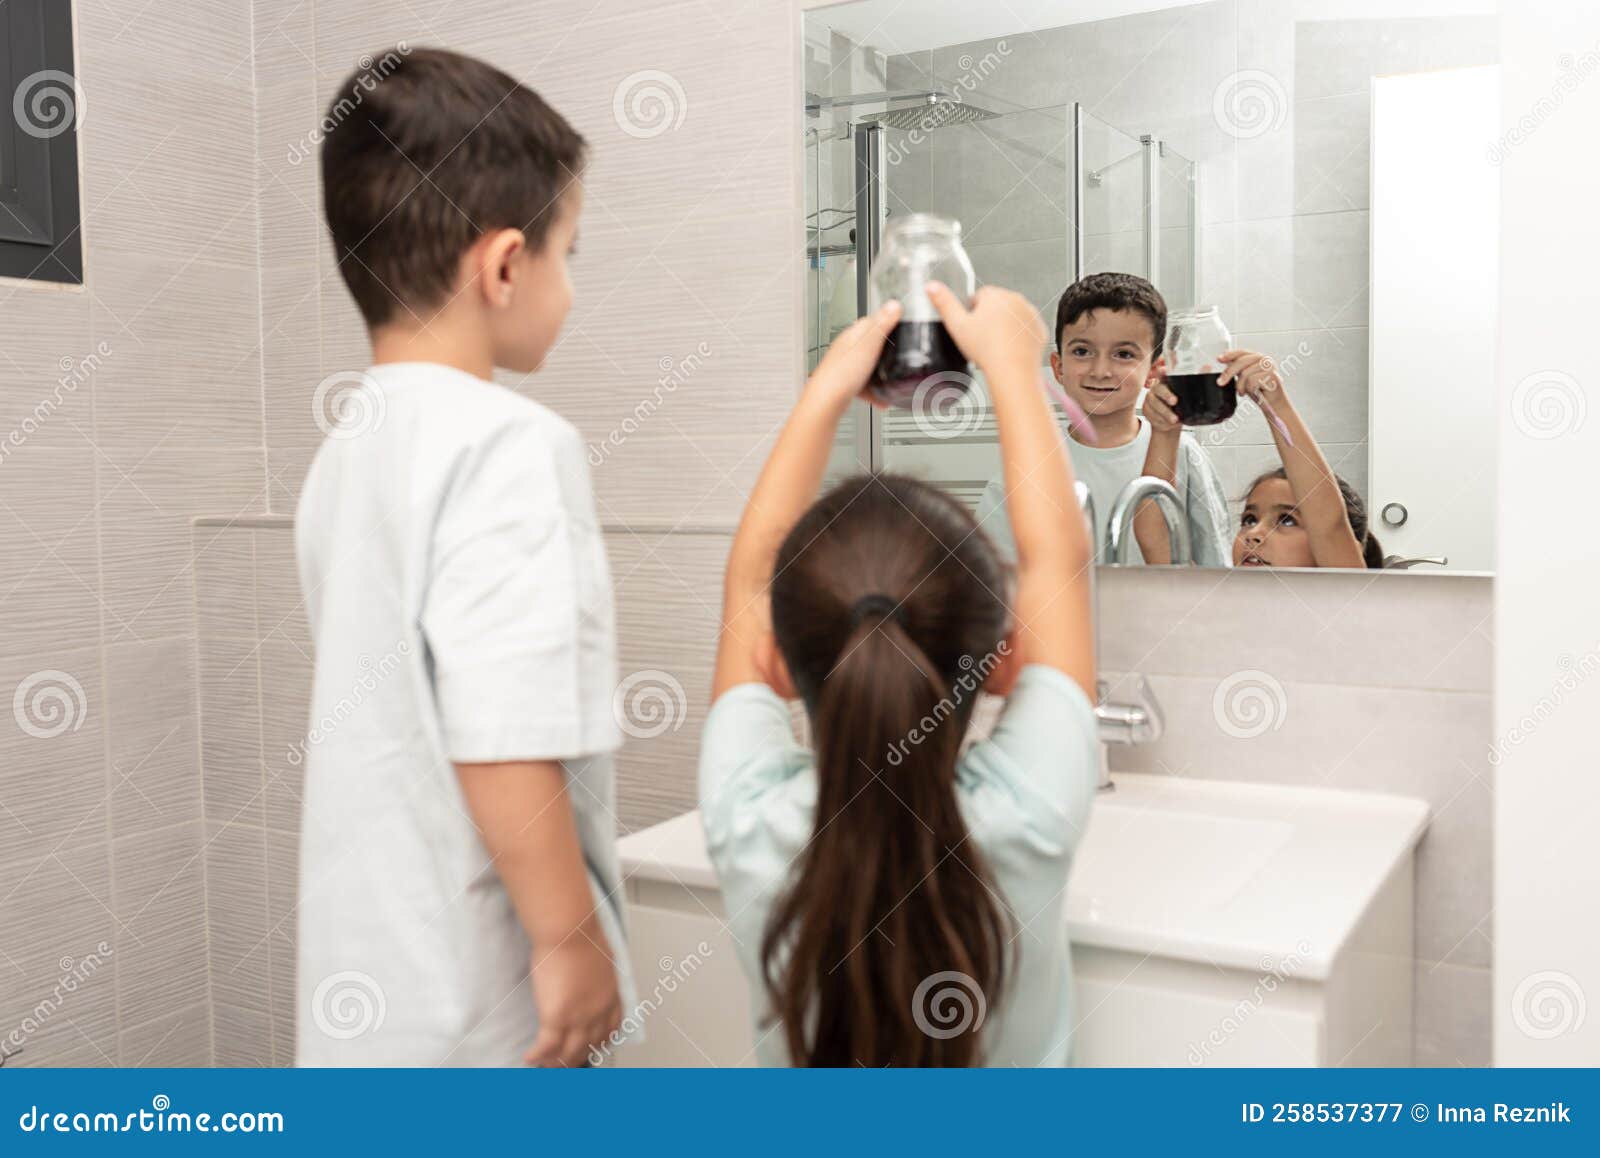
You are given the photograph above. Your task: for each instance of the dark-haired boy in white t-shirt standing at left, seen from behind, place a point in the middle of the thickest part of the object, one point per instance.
(457, 839)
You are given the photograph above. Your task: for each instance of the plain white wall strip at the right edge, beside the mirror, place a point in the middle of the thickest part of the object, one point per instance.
(1548, 621)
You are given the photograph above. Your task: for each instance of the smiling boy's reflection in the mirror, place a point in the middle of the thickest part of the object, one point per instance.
(1110, 332)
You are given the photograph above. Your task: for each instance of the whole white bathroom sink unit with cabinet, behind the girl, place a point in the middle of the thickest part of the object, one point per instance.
(1212, 924)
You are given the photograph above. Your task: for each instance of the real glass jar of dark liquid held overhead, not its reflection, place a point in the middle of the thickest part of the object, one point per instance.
(919, 249)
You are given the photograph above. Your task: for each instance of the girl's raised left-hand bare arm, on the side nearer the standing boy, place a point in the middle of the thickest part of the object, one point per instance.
(786, 487)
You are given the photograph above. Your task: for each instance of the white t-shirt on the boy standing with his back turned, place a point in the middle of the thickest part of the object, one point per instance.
(460, 602)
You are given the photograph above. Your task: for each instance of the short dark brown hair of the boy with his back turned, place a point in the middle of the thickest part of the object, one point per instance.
(425, 153)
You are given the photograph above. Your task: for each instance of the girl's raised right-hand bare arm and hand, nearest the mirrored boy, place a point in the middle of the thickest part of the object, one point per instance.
(1002, 333)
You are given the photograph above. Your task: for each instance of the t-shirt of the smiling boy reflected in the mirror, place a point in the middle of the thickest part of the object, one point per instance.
(1106, 471)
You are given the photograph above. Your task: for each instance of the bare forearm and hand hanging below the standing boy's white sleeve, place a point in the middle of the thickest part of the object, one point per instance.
(529, 828)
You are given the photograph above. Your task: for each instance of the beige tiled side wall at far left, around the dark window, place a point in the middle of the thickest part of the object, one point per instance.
(156, 367)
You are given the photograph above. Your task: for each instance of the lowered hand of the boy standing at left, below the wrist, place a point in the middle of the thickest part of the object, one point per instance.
(578, 1002)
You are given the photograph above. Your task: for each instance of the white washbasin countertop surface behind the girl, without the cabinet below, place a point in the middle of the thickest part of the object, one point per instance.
(1241, 876)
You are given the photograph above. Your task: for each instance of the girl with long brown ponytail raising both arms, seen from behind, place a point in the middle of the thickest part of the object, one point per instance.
(897, 901)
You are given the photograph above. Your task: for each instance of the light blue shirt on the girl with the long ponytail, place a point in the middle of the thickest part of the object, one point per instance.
(1025, 794)
